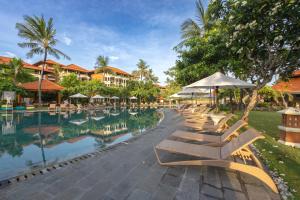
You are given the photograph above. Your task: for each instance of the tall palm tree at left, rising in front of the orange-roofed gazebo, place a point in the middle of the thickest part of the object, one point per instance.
(41, 39)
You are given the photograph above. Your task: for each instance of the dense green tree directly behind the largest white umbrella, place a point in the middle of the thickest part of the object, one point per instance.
(202, 56)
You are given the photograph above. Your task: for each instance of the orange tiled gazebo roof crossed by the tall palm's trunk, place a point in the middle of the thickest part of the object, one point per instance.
(47, 86)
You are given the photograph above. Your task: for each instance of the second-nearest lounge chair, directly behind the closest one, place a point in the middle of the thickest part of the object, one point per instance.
(210, 139)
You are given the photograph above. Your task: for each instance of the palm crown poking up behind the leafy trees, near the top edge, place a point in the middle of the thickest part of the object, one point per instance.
(195, 28)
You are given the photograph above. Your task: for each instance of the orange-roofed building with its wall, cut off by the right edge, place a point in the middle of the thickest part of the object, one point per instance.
(291, 86)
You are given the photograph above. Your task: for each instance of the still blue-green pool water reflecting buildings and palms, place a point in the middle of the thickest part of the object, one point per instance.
(30, 140)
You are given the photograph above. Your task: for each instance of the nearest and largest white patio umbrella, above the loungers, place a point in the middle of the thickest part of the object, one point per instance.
(219, 80)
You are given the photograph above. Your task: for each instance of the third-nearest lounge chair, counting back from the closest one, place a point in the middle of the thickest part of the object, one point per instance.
(222, 125)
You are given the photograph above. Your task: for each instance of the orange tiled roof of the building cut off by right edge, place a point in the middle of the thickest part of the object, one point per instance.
(292, 86)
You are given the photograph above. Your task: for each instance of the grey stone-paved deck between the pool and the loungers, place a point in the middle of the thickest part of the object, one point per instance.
(130, 171)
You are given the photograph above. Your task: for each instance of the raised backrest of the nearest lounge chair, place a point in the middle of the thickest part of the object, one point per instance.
(242, 141)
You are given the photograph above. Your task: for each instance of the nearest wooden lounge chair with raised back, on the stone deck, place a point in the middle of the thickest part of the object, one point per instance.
(218, 156)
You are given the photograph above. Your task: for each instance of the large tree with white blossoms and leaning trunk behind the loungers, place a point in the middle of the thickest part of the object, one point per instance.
(265, 35)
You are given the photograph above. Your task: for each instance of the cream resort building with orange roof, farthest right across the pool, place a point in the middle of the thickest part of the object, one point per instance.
(112, 77)
